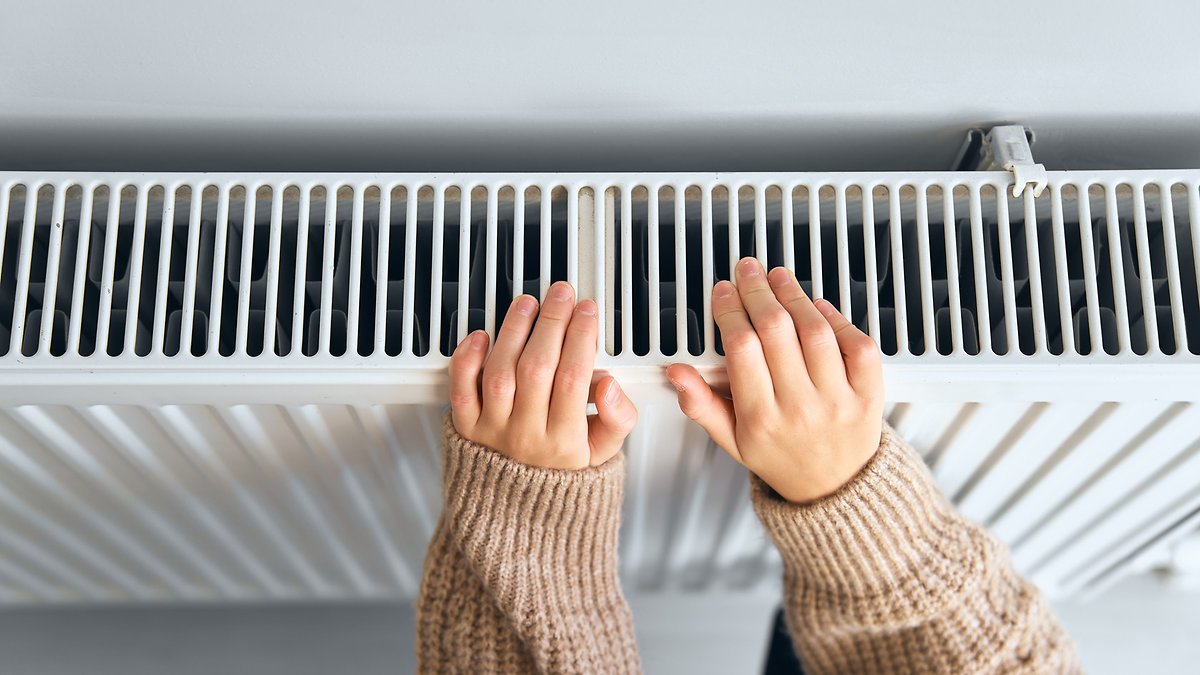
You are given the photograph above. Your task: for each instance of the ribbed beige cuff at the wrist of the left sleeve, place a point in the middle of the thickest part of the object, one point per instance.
(527, 525)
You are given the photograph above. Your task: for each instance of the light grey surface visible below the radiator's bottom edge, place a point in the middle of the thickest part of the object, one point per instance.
(1139, 626)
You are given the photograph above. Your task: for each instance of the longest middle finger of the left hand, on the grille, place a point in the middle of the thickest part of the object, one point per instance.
(539, 362)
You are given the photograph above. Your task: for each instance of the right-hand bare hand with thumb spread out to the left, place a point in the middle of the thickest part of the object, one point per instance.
(807, 386)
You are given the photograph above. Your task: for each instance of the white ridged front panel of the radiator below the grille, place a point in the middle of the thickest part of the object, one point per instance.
(259, 503)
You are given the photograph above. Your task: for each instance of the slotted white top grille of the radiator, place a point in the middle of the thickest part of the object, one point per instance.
(315, 267)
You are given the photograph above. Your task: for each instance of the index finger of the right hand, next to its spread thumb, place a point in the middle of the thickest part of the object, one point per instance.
(749, 378)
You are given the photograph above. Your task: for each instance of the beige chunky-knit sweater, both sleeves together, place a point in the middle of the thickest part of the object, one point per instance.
(881, 577)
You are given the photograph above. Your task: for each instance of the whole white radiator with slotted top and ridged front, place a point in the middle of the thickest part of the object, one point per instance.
(227, 387)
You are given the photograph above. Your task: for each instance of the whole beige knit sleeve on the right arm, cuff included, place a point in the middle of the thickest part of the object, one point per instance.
(885, 576)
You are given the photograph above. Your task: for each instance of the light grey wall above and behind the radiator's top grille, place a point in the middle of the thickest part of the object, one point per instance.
(623, 85)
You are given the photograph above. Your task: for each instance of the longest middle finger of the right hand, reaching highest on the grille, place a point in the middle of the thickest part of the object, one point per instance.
(771, 321)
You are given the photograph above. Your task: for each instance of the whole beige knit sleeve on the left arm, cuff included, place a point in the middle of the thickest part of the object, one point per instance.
(521, 576)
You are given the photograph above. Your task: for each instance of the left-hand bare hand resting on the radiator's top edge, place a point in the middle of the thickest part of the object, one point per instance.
(529, 402)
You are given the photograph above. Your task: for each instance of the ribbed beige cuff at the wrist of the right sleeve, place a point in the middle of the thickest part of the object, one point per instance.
(887, 531)
